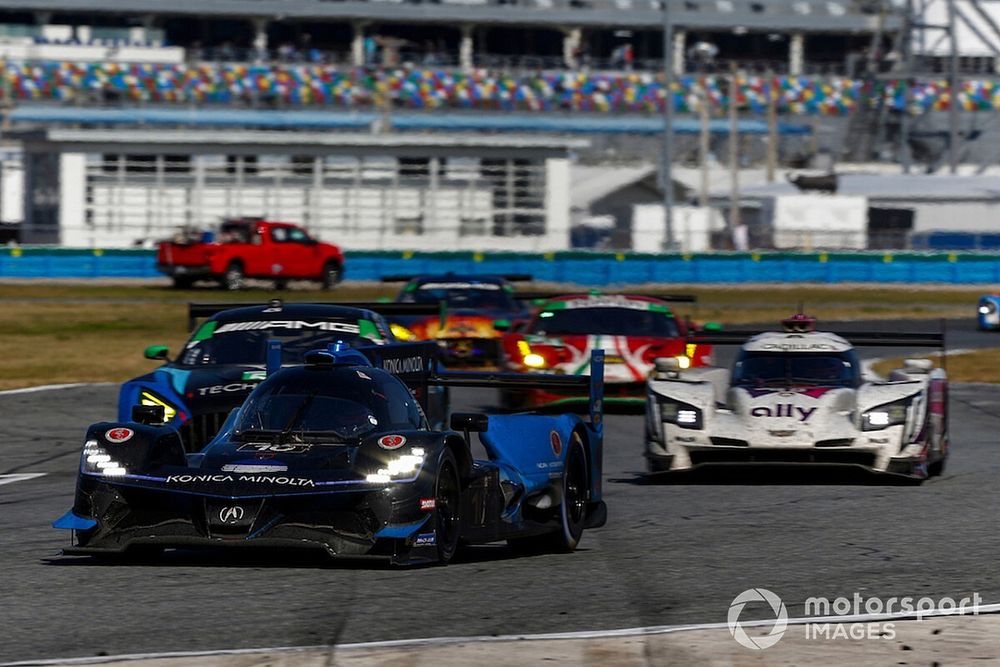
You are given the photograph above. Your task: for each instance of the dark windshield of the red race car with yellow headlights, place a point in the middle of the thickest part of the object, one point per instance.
(605, 322)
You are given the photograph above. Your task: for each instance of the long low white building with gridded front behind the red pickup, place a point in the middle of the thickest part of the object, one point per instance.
(107, 188)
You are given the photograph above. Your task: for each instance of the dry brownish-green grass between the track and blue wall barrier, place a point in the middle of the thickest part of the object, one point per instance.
(72, 332)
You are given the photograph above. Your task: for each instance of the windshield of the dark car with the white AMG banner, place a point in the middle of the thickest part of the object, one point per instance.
(249, 347)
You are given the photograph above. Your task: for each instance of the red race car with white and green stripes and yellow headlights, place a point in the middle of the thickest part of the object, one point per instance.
(634, 330)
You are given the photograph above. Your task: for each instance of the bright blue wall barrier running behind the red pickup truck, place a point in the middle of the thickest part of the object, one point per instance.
(582, 268)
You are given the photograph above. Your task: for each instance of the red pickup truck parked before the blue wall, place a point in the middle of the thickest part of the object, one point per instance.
(250, 248)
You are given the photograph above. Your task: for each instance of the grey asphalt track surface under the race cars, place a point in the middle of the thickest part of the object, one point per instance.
(673, 553)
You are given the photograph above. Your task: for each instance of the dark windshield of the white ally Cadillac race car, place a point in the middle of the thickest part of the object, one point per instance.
(763, 369)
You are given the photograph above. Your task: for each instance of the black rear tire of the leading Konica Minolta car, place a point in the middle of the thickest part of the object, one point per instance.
(572, 511)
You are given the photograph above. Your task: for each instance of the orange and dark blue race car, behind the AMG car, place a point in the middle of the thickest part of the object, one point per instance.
(464, 330)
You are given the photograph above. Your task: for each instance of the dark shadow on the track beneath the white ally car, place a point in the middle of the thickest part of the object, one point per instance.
(760, 474)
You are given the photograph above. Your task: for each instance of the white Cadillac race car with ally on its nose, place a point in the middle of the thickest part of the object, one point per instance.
(798, 396)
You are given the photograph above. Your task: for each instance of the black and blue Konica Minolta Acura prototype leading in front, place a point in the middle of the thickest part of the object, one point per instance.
(336, 455)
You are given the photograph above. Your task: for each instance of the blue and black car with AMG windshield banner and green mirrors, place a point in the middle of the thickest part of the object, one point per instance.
(226, 355)
